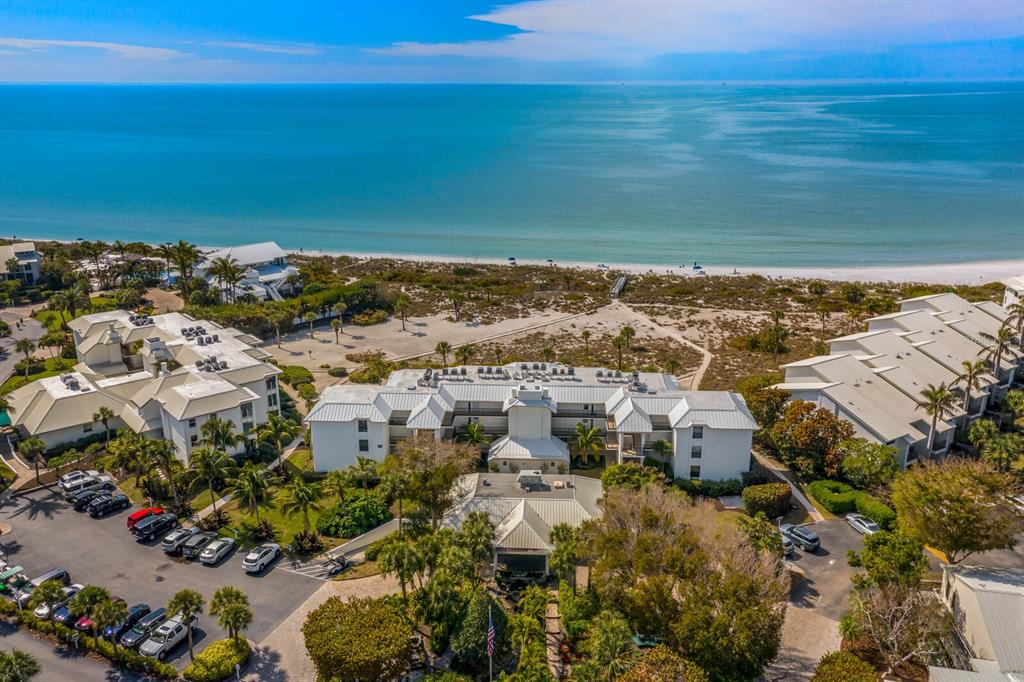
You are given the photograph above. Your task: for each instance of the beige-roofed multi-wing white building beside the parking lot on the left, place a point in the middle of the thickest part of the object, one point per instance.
(162, 376)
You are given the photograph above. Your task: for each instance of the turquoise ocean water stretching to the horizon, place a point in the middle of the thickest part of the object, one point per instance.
(835, 176)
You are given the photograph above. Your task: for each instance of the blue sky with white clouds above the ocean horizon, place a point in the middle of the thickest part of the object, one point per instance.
(534, 41)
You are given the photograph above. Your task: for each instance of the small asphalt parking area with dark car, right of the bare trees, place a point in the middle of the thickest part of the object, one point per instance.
(828, 587)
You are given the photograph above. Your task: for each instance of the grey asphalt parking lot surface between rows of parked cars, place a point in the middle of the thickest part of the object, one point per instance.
(48, 533)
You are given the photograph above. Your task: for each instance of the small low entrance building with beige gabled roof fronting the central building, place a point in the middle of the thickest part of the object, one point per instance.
(524, 516)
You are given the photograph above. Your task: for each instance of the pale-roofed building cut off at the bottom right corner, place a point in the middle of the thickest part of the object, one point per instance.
(988, 607)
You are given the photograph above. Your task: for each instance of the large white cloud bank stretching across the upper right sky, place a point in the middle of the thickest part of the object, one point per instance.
(634, 30)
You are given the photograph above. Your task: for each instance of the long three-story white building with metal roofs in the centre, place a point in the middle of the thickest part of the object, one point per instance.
(531, 411)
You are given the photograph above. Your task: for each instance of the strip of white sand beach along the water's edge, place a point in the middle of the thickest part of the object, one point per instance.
(972, 273)
